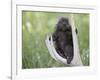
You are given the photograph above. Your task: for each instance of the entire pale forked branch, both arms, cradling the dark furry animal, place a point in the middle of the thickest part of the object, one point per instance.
(76, 59)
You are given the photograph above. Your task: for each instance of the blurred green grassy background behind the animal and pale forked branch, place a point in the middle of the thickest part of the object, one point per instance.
(36, 26)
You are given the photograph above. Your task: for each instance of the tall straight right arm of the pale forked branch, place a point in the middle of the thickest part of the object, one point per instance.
(77, 59)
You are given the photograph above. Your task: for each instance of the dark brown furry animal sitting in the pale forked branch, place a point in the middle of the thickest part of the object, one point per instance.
(63, 39)
